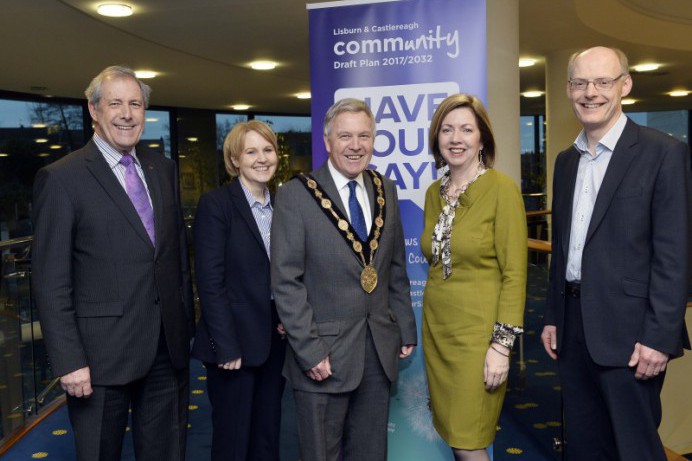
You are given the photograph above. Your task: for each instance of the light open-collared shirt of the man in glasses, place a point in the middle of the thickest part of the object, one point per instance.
(590, 174)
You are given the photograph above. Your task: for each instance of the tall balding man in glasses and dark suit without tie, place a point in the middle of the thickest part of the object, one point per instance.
(618, 276)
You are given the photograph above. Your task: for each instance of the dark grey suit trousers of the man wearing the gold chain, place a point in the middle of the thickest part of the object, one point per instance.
(353, 422)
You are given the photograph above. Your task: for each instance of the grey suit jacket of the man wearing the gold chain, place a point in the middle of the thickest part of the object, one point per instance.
(316, 283)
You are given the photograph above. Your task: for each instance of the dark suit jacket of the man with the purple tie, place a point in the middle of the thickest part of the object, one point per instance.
(101, 288)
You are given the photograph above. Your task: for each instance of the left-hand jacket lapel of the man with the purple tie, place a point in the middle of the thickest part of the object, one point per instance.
(99, 168)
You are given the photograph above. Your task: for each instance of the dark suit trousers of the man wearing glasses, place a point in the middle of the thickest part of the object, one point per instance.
(609, 415)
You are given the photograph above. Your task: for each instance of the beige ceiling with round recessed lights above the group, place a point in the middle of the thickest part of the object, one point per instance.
(202, 47)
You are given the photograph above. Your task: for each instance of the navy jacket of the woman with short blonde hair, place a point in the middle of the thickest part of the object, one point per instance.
(232, 271)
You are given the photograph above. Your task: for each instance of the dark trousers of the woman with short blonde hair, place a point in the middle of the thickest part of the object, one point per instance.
(246, 408)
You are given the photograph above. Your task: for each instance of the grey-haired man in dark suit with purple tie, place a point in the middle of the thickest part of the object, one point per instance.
(111, 281)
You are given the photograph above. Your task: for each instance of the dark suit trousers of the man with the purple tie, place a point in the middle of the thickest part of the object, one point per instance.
(159, 404)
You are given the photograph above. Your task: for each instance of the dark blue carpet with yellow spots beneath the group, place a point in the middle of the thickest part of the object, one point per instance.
(529, 421)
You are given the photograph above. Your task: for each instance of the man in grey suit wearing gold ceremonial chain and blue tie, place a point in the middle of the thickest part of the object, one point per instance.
(341, 290)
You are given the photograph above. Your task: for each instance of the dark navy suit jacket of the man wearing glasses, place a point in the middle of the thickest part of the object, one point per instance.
(635, 259)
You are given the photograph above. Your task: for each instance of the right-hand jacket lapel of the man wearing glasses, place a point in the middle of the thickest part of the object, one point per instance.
(623, 155)
